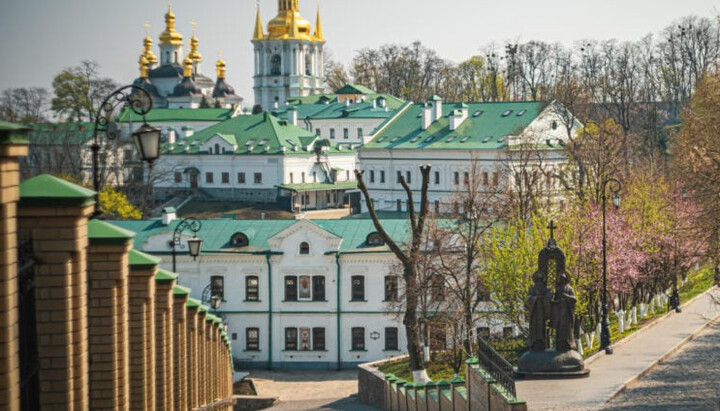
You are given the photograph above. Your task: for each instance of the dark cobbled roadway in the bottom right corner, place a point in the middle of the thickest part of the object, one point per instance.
(688, 380)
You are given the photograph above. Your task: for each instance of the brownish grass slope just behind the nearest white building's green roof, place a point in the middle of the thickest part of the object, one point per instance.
(238, 210)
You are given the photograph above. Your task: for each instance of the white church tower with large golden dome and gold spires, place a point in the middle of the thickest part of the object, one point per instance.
(288, 57)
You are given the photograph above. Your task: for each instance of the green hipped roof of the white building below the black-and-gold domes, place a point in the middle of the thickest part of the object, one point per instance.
(260, 134)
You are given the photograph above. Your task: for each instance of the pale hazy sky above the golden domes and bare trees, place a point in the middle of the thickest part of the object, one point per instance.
(40, 37)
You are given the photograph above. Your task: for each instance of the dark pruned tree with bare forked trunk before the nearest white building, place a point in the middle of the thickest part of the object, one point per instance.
(409, 258)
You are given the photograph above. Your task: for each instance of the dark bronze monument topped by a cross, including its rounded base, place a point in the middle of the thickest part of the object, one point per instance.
(555, 310)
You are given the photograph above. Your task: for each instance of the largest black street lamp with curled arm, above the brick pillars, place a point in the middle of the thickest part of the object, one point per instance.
(146, 138)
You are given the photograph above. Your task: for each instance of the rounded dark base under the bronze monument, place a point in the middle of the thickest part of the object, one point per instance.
(551, 364)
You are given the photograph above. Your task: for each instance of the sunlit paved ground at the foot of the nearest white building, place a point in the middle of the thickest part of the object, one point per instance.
(310, 390)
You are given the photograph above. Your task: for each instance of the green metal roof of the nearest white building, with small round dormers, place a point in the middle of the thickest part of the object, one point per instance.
(217, 233)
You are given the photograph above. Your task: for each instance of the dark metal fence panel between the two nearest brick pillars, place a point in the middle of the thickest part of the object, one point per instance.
(29, 365)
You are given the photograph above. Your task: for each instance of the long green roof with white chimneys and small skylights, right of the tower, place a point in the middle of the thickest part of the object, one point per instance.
(486, 127)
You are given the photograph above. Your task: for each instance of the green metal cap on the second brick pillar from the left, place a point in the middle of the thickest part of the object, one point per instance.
(47, 190)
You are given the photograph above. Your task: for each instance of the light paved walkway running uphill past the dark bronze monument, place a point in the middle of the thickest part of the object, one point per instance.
(610, 374)
